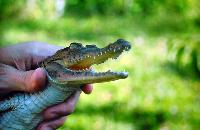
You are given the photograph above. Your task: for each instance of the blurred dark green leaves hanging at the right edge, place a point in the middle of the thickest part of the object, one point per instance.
(185, 52)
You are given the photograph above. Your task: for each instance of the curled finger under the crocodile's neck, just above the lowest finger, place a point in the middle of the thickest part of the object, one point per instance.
(62, 109)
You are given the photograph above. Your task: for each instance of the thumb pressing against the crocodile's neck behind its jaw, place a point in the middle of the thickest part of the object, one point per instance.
(12, 79)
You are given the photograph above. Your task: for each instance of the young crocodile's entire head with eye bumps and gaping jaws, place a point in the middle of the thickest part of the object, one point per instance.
(69, 65)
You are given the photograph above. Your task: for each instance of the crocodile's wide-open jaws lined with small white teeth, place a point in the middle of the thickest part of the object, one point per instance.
(81, 73)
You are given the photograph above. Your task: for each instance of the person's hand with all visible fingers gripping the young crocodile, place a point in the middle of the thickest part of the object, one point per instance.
(19, 72)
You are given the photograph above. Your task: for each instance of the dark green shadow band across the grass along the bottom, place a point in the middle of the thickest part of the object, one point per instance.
(142, 119)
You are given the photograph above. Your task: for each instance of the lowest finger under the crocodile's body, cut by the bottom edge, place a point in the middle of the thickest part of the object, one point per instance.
(52, 125)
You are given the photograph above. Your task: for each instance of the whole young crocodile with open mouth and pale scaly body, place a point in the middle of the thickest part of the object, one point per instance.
(66, 72)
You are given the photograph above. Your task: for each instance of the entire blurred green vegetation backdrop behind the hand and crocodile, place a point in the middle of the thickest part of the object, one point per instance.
(162, 90)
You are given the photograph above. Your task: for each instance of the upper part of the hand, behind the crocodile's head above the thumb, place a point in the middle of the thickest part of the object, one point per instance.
(29, 52)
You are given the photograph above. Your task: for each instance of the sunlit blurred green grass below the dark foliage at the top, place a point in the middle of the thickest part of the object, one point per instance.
(154, 96)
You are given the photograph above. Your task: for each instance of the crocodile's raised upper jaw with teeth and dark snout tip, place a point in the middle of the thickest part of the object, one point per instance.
(98, 56)
